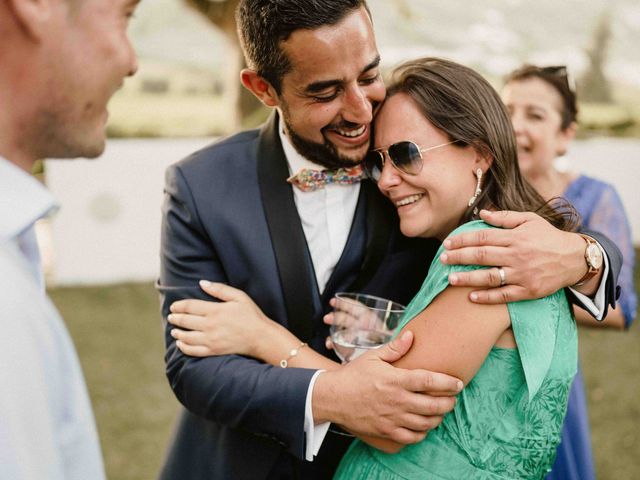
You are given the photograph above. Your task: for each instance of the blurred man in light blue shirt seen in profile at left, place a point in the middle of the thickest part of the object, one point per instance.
(61, 62)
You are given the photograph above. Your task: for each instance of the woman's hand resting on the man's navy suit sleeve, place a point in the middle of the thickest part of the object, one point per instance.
(235, 325)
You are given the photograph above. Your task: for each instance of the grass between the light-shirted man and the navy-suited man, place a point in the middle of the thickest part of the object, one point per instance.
(118, 336)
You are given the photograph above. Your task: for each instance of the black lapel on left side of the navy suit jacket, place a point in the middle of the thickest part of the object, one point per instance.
(285, 228)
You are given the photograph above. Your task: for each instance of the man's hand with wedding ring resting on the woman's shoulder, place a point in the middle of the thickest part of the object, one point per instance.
(537, 258)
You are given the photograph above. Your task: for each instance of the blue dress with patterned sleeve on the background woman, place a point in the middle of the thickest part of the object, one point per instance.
(601, 209)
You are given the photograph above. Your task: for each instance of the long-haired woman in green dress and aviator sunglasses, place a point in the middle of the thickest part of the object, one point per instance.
(444, 150)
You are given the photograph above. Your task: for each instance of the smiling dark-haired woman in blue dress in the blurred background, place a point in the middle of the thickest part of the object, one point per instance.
(543, 109)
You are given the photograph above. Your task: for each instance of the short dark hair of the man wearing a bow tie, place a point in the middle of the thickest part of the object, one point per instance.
(264, 24)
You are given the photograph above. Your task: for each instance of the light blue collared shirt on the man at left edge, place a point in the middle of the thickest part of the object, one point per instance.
(47, 428)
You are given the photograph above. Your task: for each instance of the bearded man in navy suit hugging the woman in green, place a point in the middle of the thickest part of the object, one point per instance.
(230, 216)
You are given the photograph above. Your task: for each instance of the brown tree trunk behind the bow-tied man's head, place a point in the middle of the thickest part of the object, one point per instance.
(221, 13)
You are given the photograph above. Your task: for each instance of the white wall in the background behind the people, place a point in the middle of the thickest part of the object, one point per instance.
(108, 227)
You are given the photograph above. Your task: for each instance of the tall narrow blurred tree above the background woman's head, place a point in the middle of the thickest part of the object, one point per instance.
(593, 86)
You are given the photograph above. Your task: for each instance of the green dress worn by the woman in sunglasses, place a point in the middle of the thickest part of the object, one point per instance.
(507, 421)
